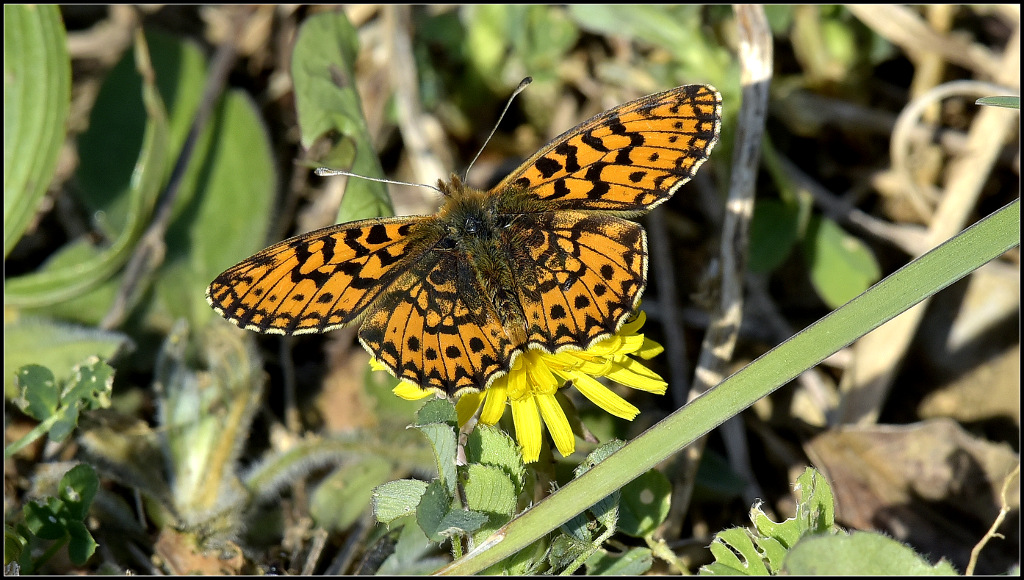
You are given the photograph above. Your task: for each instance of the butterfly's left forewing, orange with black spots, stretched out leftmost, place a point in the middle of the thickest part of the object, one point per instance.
(318, 281)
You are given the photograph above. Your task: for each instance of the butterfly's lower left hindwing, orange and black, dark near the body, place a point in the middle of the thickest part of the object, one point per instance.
(436, 329)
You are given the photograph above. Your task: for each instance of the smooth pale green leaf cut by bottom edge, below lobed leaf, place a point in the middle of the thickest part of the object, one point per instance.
(861, 554)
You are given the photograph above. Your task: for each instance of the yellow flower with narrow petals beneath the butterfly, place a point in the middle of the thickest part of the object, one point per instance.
(531, 385)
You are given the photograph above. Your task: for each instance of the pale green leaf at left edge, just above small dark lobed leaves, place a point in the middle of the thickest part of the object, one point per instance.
(57, 346)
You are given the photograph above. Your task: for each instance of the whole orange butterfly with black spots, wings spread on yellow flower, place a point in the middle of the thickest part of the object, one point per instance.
(545, 260)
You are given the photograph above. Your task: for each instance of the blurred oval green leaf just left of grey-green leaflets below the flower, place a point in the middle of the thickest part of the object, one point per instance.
(345, 495)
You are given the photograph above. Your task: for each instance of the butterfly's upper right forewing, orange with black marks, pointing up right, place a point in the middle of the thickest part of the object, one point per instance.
(628, 159)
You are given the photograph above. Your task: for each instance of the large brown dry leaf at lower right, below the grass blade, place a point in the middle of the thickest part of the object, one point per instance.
(931, 484)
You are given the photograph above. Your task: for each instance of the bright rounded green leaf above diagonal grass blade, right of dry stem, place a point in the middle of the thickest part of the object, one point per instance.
(841, 266)
